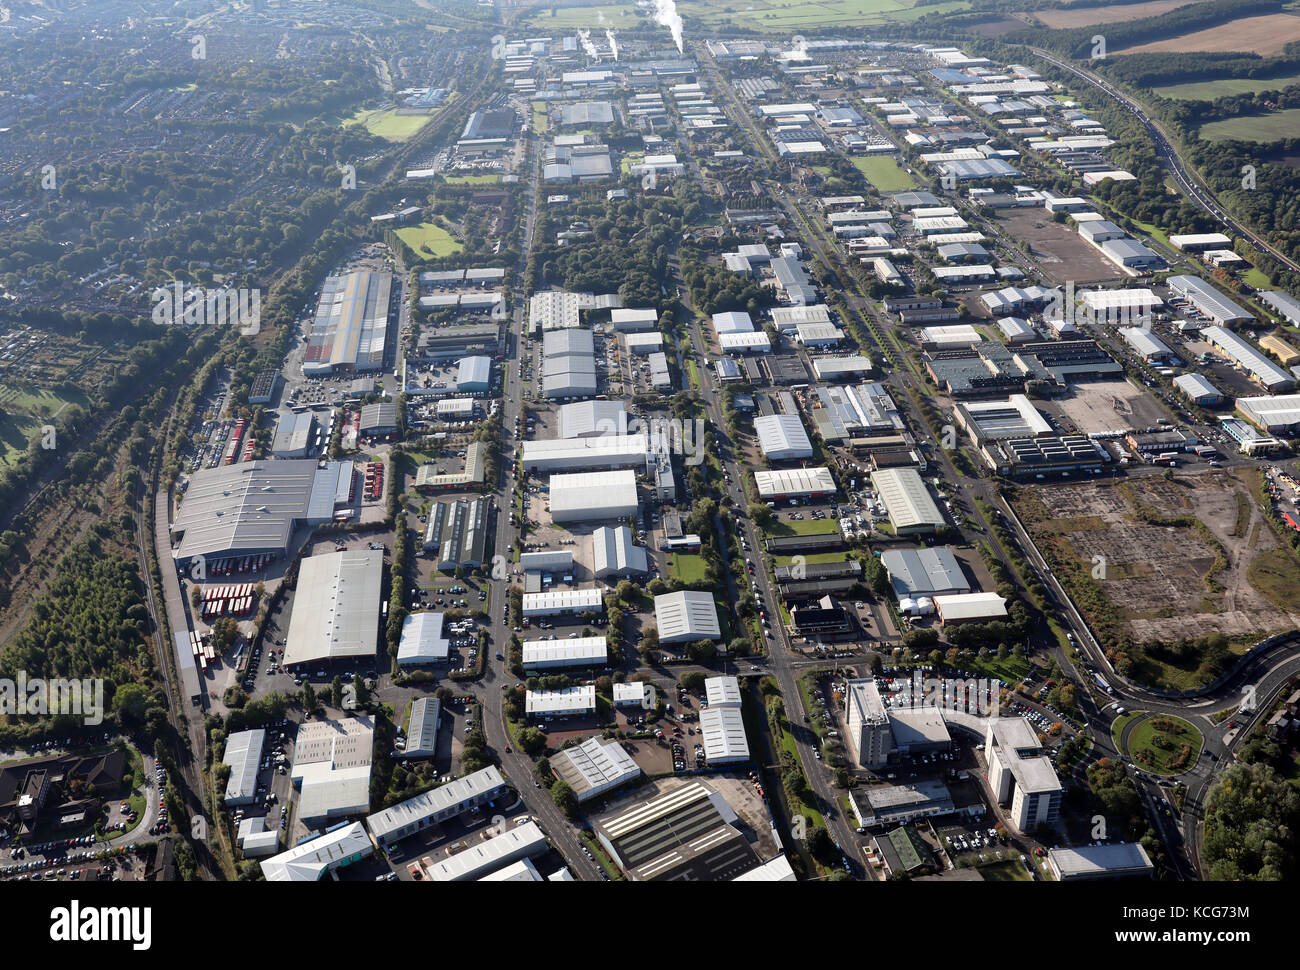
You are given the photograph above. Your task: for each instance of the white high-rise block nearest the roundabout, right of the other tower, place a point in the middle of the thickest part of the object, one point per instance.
(1021, 776)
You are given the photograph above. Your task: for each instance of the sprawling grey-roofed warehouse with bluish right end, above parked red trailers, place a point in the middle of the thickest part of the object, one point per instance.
(253, 508)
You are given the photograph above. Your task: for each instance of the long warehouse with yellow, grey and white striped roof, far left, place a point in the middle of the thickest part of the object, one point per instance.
(352, 324)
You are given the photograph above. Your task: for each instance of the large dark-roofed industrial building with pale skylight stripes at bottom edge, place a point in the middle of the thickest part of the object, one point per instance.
(686, 834)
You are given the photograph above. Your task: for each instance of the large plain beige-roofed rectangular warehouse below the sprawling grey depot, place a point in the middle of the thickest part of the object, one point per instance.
(336, 614)
